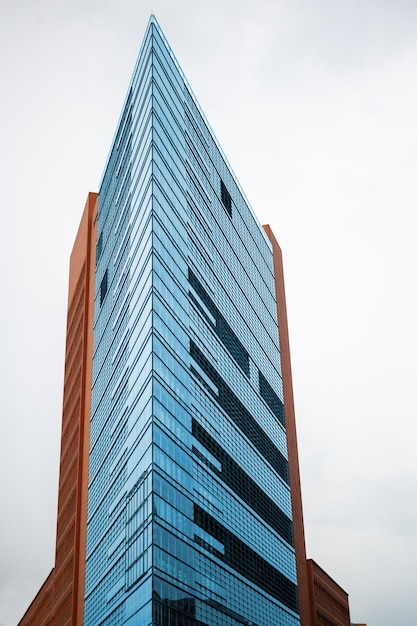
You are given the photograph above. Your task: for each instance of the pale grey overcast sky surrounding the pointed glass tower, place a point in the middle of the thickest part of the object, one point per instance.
(315, 106)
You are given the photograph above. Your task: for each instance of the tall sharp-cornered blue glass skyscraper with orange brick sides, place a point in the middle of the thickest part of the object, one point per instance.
(190, 511)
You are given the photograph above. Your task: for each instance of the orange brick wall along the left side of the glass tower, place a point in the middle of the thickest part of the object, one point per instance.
(60, 601)
